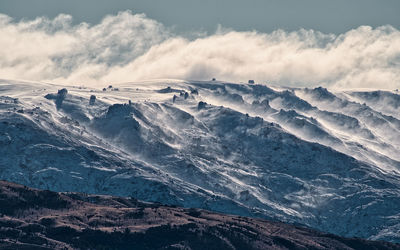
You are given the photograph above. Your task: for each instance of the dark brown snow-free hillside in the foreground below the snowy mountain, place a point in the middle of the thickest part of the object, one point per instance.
(33, 219)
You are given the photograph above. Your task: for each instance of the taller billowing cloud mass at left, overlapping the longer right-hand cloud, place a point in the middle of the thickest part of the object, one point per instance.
(55, 50)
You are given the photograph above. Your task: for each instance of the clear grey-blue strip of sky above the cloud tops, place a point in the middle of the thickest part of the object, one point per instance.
(336, 16)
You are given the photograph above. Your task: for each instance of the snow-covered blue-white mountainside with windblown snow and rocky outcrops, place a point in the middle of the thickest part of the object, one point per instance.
(328, 160)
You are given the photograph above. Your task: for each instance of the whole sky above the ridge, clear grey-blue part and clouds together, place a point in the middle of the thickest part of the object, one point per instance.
(344, 43)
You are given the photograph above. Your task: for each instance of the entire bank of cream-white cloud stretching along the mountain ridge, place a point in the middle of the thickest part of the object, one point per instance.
(130, 47)
